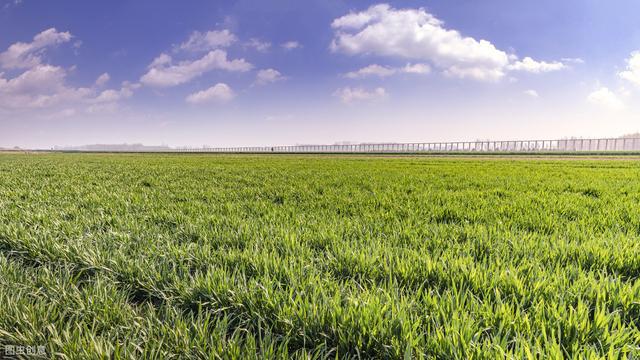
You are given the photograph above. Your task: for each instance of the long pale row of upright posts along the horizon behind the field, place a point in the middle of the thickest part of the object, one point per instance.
(564, 145)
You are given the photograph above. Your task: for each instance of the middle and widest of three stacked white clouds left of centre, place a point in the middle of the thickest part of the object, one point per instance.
(162, 73)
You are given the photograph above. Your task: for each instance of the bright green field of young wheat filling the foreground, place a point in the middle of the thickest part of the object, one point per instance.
(264, 256)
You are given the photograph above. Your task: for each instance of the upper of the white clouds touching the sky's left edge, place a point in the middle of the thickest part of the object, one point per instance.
(27, 55)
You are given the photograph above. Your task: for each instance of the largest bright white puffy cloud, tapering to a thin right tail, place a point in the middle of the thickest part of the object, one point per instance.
(415, 34)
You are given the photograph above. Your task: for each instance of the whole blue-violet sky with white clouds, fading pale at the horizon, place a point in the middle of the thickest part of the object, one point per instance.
(242, 73)
